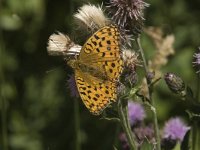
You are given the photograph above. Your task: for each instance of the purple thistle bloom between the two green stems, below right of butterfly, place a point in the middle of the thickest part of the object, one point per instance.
(136, 113)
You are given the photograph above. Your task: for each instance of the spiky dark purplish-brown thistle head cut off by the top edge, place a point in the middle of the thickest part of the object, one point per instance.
(129, 14)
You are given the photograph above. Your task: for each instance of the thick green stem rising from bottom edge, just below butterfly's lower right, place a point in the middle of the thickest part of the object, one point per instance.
(122, 110)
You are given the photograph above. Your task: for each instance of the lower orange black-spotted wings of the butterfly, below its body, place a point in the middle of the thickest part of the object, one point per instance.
(95, 93)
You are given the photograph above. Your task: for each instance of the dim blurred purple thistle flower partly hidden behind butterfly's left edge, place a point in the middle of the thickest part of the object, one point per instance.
(72, 86)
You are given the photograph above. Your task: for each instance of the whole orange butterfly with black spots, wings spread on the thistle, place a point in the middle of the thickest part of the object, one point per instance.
(97, 69)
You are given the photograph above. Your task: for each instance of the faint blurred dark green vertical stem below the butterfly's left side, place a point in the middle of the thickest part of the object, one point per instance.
(77, 125)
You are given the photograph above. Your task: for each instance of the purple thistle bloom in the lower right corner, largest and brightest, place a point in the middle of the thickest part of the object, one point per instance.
(175, 129)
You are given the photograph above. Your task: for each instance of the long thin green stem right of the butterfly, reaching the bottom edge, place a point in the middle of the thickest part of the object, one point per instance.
(150, 89)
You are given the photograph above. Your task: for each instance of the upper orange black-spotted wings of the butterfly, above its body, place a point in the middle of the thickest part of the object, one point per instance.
(102, 51)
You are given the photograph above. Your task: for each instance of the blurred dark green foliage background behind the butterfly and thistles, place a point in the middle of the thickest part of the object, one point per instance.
(37, 112)
